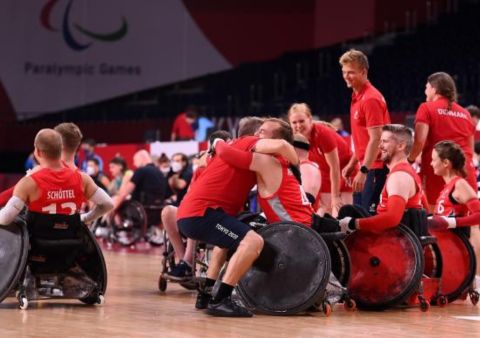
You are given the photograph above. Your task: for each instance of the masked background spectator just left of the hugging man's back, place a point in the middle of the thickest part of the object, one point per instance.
(181, 177)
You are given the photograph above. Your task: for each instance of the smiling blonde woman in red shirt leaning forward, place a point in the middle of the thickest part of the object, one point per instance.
(330, 151)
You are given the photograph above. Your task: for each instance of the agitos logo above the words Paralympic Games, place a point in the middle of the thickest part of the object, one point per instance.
(67, 26)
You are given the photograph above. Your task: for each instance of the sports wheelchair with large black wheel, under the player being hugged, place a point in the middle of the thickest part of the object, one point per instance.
(293, 271)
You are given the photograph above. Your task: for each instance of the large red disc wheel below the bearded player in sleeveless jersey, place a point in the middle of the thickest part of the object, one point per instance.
(386, 268)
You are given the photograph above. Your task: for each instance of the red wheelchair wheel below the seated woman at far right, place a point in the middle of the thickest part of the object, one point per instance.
(459, 263)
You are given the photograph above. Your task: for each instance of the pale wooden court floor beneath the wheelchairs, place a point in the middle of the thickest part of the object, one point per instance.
(135, 308)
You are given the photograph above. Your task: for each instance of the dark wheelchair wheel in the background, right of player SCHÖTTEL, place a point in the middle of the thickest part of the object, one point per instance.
(129, 223)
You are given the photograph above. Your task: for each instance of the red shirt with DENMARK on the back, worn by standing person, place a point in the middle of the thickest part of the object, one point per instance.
(460, 130)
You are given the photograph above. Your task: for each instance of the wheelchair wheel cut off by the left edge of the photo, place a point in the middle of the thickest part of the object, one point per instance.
(14, 244)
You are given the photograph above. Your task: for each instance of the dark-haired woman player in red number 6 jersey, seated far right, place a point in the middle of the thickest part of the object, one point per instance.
(457, 204)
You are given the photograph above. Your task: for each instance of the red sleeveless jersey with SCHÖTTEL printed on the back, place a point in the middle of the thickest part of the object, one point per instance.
(60, 191)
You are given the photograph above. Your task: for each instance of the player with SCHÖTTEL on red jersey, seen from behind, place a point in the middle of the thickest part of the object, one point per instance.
(54, 188)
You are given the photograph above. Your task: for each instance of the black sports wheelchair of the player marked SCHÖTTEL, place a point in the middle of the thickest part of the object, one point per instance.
(51, 256)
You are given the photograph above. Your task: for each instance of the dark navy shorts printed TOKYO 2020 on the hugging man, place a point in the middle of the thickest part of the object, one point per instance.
(214, 227)
